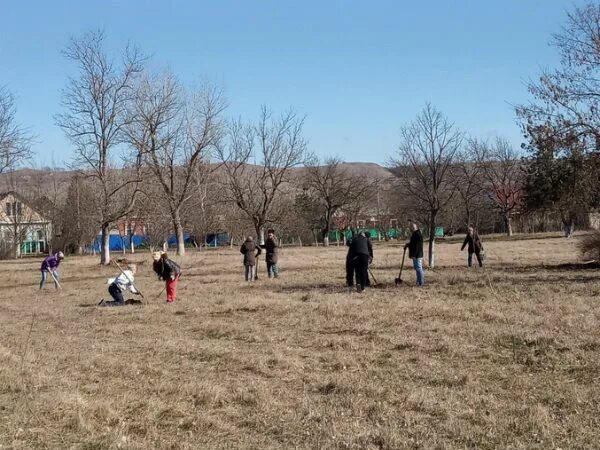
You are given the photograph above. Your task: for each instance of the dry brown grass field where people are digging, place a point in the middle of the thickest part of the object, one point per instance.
(504, 357)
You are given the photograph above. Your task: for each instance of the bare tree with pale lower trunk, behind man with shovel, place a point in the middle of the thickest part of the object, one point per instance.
(425, 155)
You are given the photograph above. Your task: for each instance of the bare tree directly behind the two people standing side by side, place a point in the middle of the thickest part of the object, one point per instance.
(280, 147)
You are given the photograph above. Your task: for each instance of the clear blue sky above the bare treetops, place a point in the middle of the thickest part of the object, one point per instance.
(357, 69)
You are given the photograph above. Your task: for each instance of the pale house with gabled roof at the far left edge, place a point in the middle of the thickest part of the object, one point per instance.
(22, 229)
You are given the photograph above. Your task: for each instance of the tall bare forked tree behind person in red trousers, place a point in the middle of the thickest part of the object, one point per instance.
(175, 135)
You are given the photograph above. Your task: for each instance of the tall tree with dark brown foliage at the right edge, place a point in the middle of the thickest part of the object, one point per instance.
(562, 122)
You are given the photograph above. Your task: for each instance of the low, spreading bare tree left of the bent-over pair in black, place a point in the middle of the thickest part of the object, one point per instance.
(333, 188)
